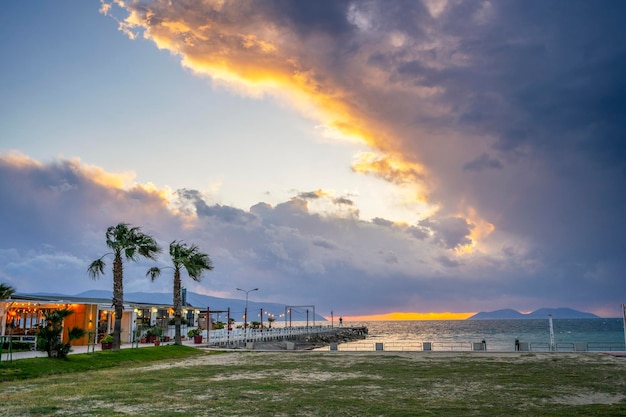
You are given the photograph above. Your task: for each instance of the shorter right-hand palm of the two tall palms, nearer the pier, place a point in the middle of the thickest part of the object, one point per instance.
(195, 262)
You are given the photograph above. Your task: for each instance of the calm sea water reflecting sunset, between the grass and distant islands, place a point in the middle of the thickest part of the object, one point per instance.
(499, 335)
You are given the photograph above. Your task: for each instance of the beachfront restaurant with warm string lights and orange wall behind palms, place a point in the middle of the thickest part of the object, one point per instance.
(23, 315)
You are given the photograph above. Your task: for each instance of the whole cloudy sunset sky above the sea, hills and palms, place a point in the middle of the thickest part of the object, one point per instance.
(395, 159)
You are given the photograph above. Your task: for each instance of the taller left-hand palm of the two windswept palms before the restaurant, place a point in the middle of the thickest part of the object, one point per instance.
(131, 243)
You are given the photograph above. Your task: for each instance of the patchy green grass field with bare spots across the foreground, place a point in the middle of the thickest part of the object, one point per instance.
(183, 381)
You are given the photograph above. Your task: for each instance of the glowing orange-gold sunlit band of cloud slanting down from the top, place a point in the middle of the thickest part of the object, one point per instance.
(258, 57)
